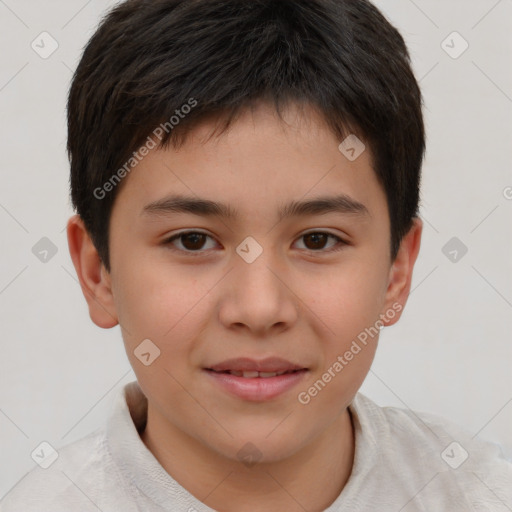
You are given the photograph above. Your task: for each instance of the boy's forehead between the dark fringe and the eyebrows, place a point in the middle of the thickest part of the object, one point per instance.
(262, 163)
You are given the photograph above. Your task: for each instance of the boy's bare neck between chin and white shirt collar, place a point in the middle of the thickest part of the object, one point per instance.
(311, 479)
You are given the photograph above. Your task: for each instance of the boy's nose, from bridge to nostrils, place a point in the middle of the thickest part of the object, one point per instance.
(258, 298)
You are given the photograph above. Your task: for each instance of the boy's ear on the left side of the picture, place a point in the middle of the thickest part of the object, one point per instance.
(92, 275)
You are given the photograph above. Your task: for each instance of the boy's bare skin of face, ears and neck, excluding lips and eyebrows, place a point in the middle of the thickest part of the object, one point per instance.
(297, 300)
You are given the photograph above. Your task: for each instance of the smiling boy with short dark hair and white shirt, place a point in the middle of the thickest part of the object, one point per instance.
(284, 138)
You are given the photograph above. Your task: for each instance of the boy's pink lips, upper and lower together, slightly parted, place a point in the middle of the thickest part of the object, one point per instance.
(256, 389)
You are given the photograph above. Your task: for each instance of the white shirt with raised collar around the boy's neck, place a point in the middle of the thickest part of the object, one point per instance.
(398, 467)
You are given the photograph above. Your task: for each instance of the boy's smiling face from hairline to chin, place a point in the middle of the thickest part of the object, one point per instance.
(265, 279)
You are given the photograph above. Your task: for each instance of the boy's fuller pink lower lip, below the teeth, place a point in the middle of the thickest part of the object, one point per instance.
(257, 389)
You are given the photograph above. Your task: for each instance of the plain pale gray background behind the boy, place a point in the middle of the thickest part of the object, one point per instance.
(450, 354)
